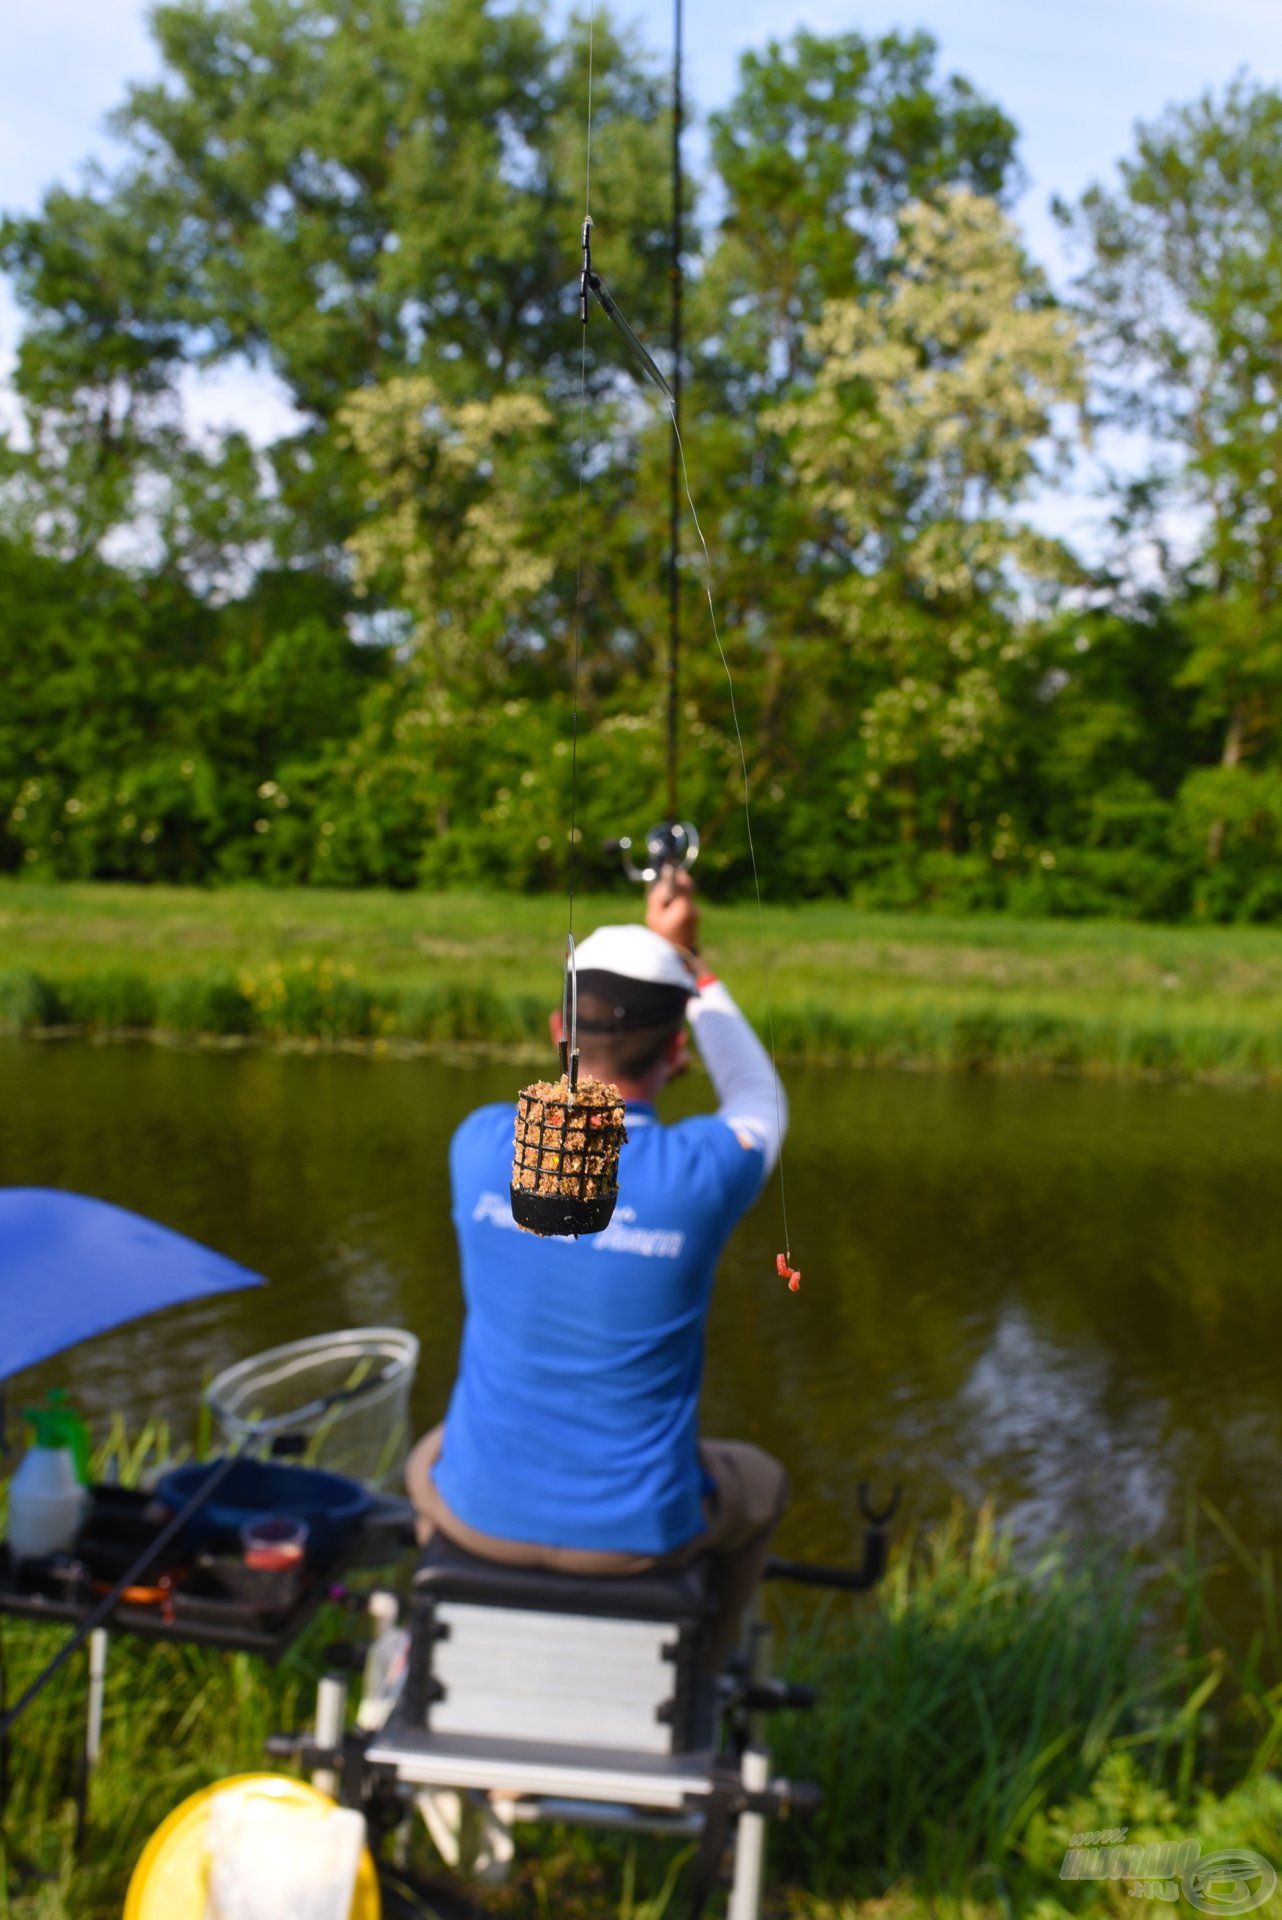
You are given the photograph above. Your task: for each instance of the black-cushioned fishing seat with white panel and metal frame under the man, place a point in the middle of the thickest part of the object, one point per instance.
(536, 1696)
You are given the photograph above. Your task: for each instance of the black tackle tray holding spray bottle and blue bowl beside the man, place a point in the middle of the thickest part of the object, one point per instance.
(197, 1612)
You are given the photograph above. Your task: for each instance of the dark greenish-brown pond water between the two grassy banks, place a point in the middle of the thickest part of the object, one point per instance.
(1062, 1297)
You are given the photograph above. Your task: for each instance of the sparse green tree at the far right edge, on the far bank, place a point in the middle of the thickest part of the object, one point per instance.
(1183, 299)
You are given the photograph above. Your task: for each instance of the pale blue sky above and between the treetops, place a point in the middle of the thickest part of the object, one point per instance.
(1076, 78)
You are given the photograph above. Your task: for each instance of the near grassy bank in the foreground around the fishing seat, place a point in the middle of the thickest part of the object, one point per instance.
(974, 1717)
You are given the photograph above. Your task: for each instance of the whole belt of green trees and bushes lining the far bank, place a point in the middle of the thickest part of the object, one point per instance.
(341, 654)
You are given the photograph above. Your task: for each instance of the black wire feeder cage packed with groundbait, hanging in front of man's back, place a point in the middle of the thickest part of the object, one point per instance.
(565, 1164)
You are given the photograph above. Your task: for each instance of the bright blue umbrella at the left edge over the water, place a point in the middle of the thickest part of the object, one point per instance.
(72, 1268)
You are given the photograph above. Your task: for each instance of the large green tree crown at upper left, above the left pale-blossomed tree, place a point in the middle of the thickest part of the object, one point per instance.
(341, 193)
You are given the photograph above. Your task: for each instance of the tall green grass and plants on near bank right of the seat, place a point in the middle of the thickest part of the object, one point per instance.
(984, 1712)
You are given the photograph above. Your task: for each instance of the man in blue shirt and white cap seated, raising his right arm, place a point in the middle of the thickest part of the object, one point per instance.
(573, 1431)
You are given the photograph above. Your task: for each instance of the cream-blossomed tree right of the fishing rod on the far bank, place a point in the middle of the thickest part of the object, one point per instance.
(916, 441)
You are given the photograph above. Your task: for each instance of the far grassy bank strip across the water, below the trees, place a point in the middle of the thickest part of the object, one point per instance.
(874, 990)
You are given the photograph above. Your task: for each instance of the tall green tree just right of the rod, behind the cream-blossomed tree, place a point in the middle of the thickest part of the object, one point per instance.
(817, 156)
